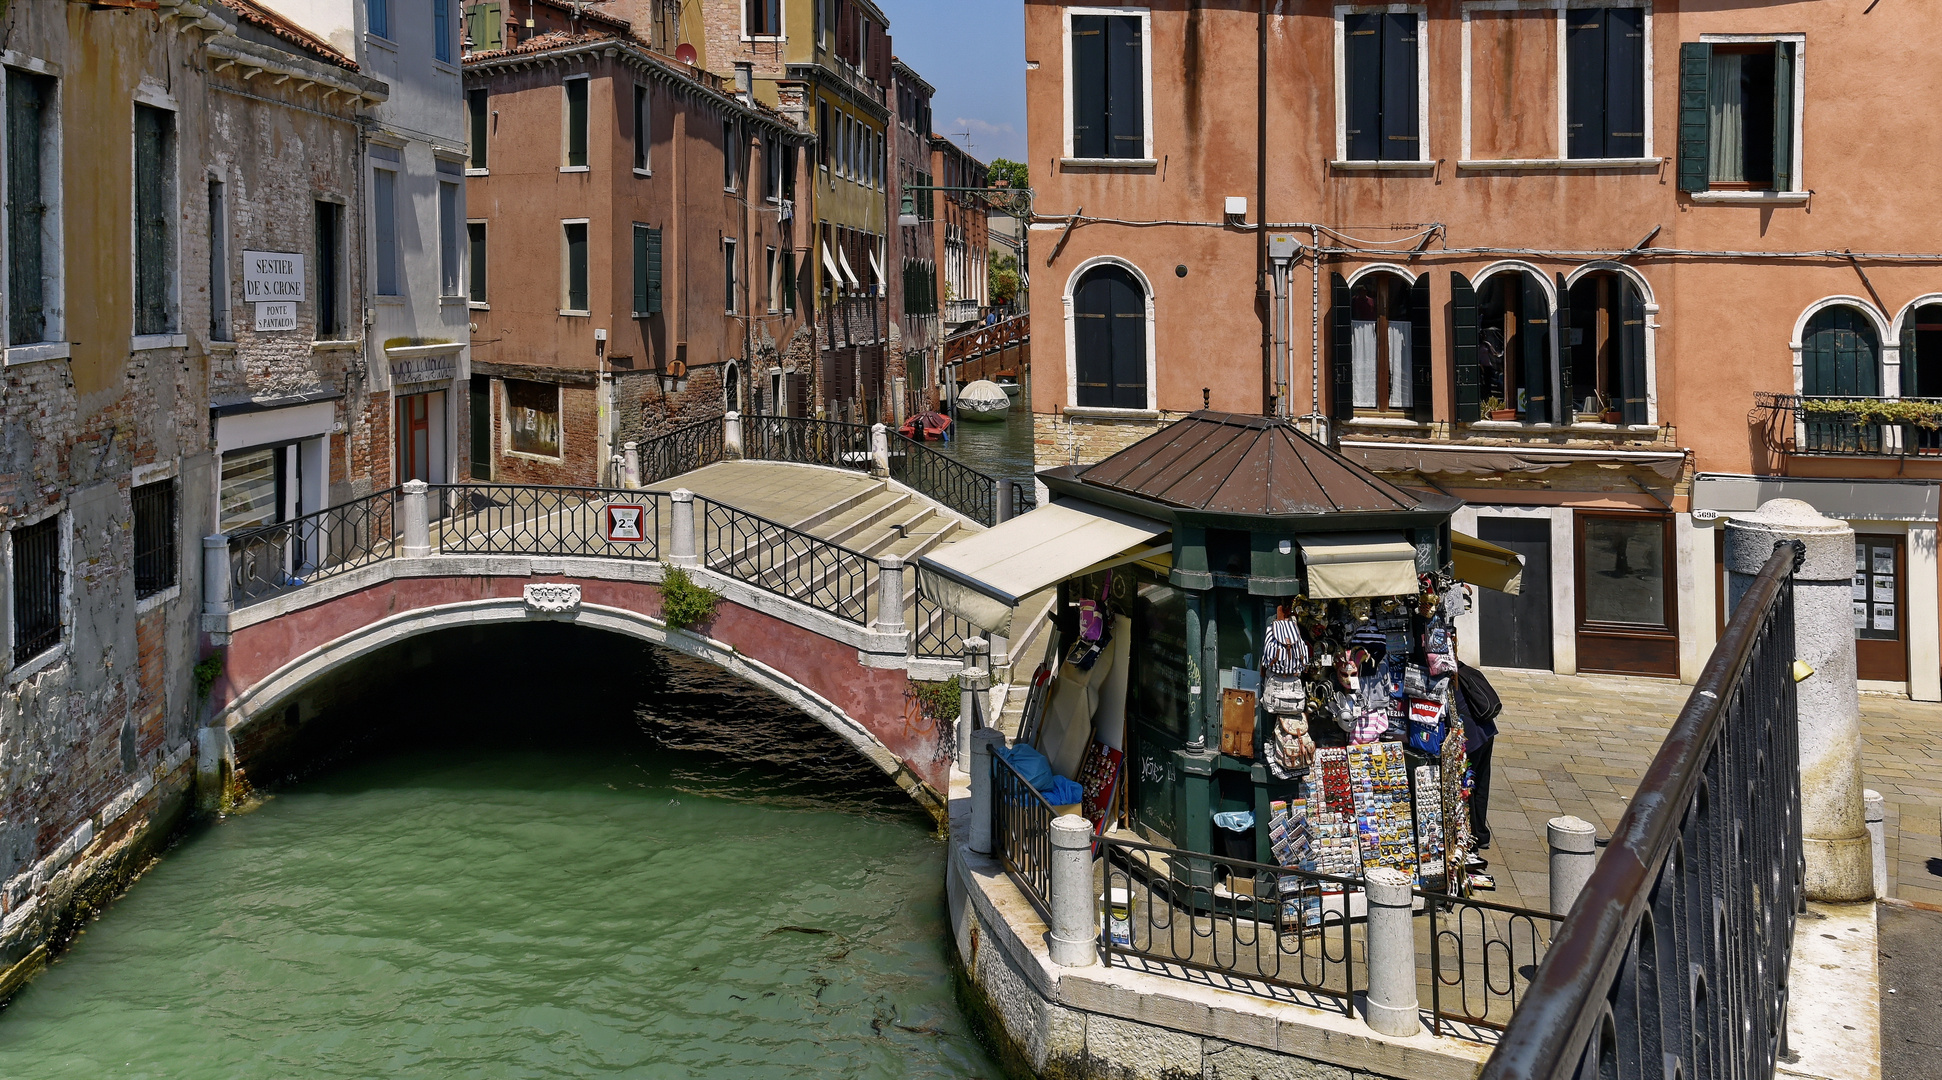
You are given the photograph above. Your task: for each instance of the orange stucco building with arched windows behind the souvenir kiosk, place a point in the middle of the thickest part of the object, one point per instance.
(1611, 273)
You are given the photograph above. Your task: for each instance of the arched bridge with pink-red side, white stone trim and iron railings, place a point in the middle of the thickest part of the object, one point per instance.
(817, 603)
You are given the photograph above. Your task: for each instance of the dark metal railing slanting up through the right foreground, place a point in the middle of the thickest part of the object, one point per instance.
(1675, 957)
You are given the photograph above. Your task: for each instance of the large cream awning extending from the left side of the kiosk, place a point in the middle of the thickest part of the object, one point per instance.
(988, 576)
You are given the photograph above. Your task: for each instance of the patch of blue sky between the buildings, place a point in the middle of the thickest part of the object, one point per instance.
(974, 51)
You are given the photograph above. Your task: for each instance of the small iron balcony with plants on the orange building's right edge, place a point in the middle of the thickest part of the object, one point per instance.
(1836, 426)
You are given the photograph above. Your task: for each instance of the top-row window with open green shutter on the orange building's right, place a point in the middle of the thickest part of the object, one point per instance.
(1739, 116)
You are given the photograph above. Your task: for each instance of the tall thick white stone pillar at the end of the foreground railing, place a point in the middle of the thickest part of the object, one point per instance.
(1834, 830)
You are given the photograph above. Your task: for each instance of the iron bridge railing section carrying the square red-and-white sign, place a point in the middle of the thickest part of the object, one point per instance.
(518, 520)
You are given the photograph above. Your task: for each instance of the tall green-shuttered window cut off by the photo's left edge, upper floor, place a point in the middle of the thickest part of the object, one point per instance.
(32, 187)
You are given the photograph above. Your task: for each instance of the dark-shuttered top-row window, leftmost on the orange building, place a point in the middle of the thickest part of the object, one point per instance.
(1108, 88)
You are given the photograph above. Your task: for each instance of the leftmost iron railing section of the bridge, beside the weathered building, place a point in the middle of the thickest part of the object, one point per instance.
(271, 560)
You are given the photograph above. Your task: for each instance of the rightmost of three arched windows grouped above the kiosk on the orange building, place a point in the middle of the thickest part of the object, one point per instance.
(1605, 349)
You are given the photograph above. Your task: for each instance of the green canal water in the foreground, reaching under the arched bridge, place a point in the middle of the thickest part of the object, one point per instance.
(539, 854)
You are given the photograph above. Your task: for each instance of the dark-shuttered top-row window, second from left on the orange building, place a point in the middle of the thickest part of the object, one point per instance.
(1380, 88)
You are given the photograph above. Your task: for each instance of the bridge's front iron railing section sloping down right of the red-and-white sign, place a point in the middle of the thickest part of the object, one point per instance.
(782, 560)
